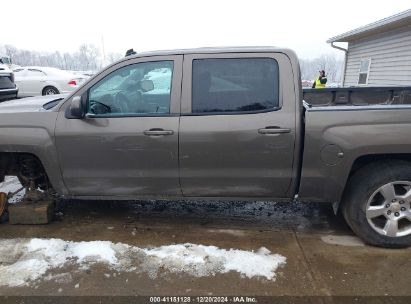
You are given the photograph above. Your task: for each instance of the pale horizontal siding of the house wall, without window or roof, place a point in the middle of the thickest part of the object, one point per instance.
(390, 54)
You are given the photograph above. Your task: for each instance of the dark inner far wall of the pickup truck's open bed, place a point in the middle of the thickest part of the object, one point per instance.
(357, 96)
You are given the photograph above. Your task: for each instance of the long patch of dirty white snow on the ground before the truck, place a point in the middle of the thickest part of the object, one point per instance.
(25, 261)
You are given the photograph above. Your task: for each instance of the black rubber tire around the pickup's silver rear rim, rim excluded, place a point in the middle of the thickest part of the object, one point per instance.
(361, 187)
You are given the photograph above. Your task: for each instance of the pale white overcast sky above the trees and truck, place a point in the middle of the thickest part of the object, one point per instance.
(50, 25)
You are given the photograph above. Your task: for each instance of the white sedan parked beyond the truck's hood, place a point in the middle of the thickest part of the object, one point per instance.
(36, 81)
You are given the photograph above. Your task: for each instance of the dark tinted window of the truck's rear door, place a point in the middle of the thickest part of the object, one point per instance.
(235, 85)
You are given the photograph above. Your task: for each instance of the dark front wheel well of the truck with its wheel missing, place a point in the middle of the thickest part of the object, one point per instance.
(26, 166)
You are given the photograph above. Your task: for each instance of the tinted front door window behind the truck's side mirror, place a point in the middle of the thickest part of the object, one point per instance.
(138, 89)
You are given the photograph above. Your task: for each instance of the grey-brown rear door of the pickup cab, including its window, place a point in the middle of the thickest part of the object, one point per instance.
(237, 125)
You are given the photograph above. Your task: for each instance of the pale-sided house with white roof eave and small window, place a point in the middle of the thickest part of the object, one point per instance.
(378, 54)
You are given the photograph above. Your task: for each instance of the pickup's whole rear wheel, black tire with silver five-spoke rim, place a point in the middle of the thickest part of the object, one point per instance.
(377, 205)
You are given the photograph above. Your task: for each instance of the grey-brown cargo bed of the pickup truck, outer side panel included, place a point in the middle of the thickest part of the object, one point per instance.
(370, 124)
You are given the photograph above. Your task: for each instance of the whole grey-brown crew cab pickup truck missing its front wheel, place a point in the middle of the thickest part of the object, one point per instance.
(219, 123)
